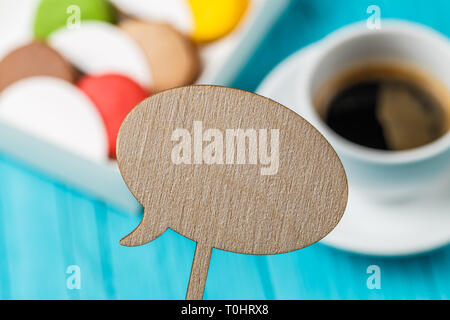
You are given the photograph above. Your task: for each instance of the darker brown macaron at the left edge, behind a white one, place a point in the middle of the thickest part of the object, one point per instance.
(34, 59)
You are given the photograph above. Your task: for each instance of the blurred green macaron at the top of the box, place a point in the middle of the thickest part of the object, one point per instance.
(54, 14)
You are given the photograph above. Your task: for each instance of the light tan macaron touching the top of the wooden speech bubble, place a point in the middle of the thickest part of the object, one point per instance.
(173, 59)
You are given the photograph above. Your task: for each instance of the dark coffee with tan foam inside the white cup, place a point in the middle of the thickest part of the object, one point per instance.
(385, 107)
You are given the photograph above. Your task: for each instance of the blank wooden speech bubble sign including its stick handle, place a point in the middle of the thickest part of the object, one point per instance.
(230, 170)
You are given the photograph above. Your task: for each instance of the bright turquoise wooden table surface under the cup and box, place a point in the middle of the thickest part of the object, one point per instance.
(45, 226)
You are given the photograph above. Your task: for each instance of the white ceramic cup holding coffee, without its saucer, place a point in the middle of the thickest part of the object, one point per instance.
(388, 174)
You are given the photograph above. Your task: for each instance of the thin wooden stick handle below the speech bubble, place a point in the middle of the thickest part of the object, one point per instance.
(199, 272)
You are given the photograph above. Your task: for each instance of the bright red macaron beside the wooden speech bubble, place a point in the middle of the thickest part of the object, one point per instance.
(114, 96)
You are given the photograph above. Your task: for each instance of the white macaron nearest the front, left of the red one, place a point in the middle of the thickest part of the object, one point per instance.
(56, 111)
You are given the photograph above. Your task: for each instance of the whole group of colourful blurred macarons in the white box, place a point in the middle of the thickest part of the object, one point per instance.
(89, 62)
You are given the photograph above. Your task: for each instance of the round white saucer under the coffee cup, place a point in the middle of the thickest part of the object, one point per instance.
(378, 228)
